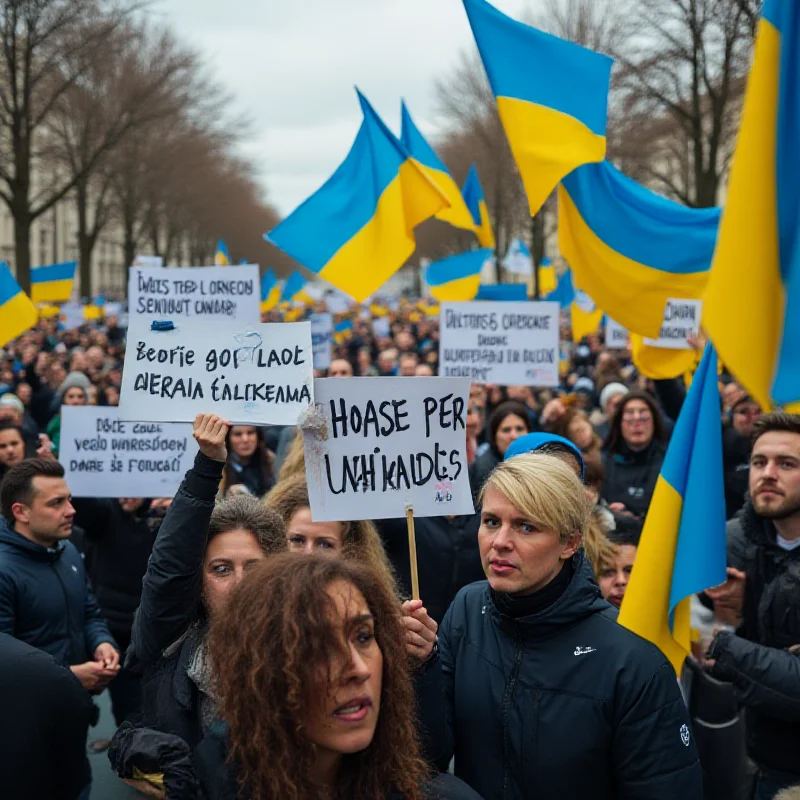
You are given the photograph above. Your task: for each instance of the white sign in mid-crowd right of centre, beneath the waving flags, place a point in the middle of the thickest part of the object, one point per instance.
(499, 342)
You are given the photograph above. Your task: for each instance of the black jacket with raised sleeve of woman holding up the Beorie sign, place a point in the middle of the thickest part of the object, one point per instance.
(166, 629)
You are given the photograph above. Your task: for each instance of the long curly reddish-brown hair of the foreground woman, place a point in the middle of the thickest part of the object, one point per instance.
(270, 645)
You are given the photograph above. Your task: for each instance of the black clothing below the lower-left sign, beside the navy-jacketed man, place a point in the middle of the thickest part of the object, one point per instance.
(120, 545)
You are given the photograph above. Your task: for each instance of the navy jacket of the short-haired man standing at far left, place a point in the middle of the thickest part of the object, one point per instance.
(45, 599)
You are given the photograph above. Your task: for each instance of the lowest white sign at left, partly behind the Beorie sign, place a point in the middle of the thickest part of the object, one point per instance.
(106, 457)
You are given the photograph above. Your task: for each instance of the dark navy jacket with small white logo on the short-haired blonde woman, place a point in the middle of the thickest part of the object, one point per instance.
(560, 704)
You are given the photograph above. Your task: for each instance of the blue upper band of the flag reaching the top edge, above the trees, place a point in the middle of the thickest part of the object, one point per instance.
(528, 64)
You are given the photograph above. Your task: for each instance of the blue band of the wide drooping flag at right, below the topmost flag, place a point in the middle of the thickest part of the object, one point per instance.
(641, 225)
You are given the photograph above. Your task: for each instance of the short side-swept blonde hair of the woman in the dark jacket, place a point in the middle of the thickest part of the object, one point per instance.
(545, 490)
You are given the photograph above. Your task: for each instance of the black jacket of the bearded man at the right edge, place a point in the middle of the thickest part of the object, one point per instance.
(771, 617)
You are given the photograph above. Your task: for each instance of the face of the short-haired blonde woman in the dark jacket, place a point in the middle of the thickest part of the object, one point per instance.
(518, 556)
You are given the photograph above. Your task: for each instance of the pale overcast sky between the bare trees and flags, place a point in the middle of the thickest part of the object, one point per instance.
(291, 66)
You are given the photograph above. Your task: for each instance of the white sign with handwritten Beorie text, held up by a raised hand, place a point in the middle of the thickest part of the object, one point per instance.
(249, 375)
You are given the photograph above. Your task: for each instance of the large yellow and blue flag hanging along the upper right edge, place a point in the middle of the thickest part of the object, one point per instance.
(751, 308)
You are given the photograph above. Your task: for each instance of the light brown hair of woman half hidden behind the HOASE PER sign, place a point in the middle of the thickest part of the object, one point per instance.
(360, 539)
